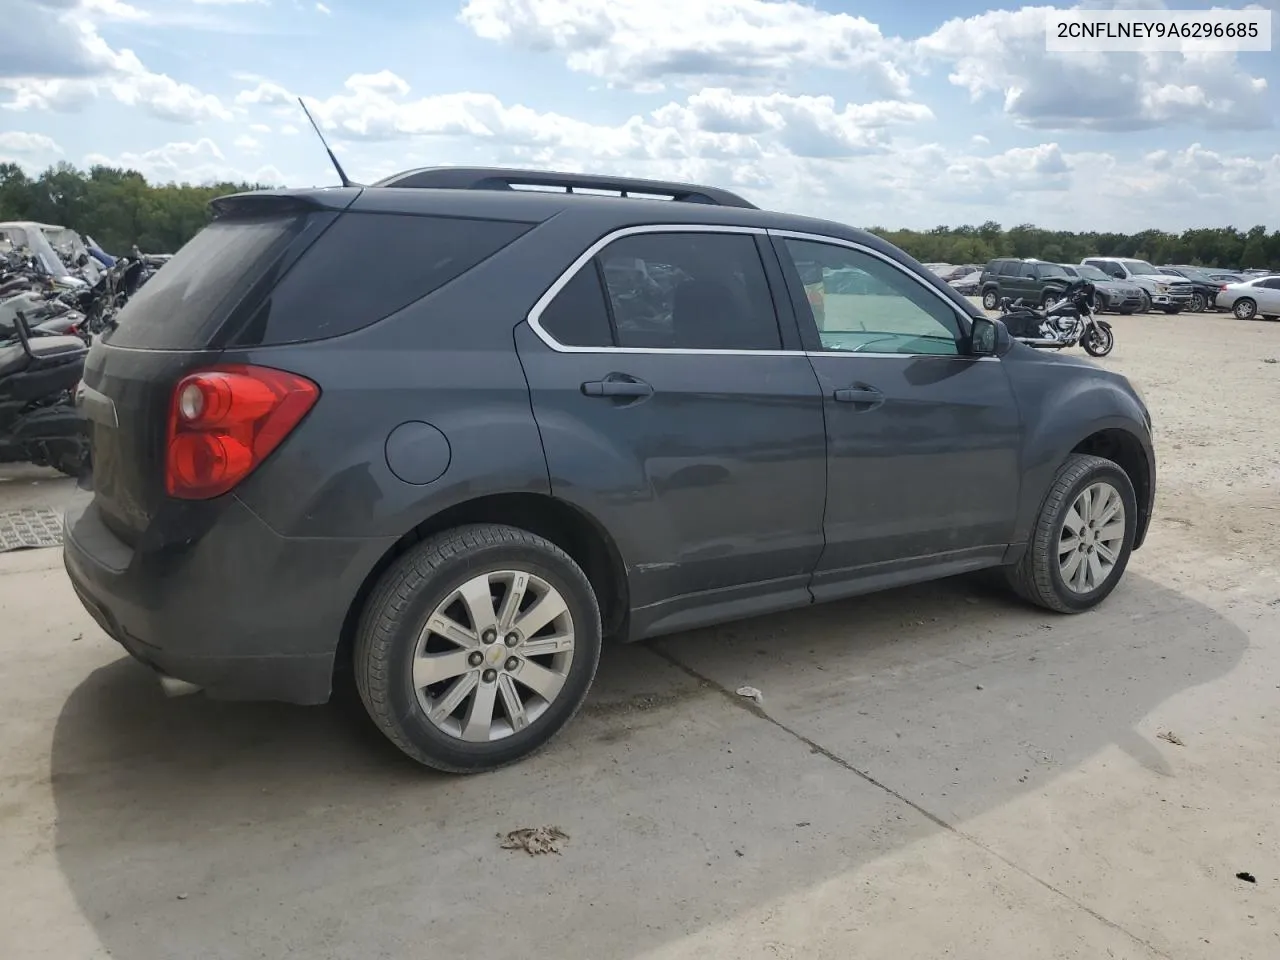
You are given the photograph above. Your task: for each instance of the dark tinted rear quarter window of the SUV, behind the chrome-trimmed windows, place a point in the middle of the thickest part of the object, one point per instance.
(368, 267)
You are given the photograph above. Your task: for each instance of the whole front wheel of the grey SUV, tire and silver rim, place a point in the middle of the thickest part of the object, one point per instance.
(1082, 540)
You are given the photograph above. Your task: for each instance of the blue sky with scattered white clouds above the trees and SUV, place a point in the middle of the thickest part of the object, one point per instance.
(877, 113)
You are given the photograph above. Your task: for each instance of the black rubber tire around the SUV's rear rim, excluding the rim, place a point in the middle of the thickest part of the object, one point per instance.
(408, 595)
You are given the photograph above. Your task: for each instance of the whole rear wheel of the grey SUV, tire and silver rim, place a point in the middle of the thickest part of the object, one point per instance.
(478, 647)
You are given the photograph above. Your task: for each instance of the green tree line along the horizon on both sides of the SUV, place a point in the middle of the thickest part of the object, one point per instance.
(120, 209)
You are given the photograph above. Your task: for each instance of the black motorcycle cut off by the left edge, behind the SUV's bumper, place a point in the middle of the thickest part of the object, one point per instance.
(39, 420)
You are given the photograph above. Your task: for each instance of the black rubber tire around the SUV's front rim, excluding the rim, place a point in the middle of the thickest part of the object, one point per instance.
(1037, 577)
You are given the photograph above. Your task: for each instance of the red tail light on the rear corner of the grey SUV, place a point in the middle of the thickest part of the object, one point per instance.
(225, 422)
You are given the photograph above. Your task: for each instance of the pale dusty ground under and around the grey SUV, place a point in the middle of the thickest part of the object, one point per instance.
(934, 772)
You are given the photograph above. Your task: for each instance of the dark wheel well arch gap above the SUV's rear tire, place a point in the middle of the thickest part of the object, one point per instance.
(577, 533)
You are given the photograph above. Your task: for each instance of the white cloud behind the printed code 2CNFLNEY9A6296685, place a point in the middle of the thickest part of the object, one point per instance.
(1002, 54)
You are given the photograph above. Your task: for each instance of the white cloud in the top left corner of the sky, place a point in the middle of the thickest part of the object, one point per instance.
(67, 68)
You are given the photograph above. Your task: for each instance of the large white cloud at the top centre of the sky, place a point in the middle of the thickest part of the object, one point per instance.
(651, 44)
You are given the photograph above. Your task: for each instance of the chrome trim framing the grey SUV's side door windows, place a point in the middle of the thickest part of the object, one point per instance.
(534, 317)
